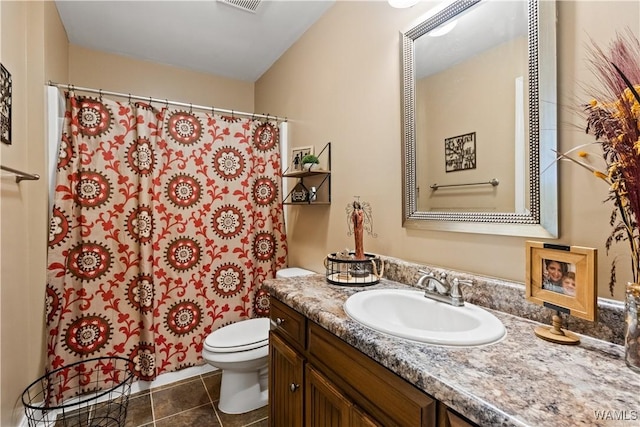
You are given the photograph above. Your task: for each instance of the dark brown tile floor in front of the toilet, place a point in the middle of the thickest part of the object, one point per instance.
(190, 402)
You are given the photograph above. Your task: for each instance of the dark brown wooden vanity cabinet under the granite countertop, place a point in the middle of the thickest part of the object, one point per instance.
(318, 380)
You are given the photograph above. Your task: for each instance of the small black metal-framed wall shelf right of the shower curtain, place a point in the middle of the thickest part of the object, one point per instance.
(312, 186)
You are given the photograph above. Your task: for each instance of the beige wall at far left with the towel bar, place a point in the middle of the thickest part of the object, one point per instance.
(33, 49)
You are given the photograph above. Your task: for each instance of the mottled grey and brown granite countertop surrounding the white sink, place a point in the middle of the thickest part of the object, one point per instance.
(520, 381)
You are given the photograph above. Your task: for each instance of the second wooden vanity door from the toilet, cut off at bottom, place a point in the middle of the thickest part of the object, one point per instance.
(325, 405)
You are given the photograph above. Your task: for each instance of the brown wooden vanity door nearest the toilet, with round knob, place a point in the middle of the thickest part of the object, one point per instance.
(286, 376)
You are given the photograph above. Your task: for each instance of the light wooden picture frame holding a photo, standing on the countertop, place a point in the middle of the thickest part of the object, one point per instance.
(545, 262)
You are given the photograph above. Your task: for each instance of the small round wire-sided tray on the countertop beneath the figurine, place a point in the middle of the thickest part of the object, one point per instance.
(344, 270)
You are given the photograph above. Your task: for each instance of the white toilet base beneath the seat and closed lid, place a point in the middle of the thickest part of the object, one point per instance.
(242, 392)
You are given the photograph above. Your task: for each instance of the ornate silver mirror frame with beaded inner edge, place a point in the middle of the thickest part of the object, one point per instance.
(541, 219)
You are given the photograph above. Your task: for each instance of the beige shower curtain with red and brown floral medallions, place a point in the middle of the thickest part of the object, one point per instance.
(165, 223)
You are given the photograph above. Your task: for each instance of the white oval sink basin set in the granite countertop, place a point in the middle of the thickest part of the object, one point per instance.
(408, 314)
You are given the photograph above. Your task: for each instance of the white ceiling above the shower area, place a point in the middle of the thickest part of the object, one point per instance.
(209, 36)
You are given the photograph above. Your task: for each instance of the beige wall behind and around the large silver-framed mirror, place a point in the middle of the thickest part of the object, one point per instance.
(341, 83)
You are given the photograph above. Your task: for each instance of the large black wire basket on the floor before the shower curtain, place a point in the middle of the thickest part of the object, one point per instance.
(96, 394)
